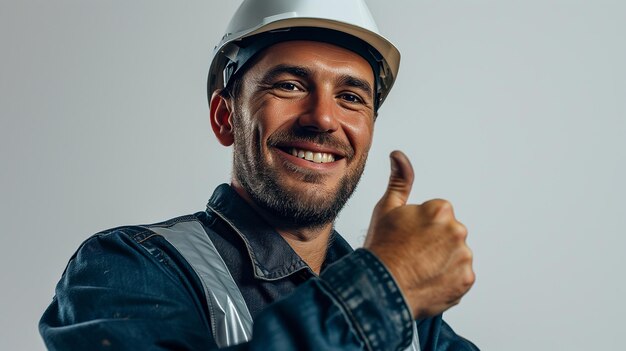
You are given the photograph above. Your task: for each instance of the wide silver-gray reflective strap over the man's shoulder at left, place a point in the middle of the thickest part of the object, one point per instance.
(231, 322)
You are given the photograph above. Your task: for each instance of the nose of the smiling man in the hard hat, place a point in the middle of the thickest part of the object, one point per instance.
(321, 114)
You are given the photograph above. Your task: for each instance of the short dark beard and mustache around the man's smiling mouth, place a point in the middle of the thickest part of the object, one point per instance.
(262, 183)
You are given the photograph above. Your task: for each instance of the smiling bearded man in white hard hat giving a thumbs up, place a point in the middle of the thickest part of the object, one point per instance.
(294, 87)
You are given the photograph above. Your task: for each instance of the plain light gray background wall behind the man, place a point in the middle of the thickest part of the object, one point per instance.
(513, 110)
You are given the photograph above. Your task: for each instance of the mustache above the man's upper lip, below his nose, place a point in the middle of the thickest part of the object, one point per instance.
(323, 139)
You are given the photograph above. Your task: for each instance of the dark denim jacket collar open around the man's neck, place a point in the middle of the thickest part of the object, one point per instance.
(271, 255)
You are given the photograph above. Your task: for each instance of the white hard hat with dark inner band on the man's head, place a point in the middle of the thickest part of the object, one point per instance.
(340, 22)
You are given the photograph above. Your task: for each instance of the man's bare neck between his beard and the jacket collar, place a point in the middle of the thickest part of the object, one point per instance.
(310, 244)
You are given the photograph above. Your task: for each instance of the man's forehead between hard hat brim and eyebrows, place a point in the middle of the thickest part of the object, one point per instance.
(319, 57)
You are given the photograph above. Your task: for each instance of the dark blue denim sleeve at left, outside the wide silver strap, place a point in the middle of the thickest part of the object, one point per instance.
(114, 295)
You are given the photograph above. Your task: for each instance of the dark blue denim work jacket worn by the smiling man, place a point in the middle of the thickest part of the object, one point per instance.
(129, 289)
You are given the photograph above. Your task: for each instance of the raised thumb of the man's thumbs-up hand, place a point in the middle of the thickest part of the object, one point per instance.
(400, 183)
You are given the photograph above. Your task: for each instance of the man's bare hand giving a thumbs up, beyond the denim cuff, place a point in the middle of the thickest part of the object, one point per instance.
(423, 246)
